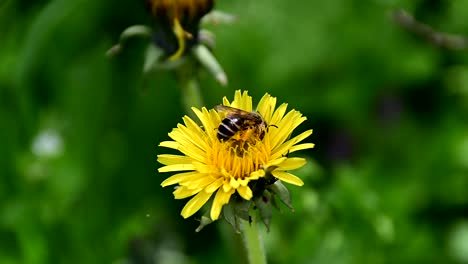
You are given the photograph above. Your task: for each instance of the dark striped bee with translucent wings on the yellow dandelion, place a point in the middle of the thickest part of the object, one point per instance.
(248, 124)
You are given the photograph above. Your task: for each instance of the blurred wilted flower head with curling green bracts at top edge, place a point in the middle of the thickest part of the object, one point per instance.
(177, 33)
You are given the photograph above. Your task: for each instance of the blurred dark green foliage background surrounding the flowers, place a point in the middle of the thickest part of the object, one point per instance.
(386, 183)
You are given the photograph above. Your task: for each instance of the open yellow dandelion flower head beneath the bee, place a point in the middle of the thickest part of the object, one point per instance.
(230, 166)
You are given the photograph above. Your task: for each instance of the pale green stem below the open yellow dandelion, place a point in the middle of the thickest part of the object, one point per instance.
(253, 243)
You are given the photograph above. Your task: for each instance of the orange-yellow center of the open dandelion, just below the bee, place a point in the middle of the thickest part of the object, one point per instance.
(238, 159)
